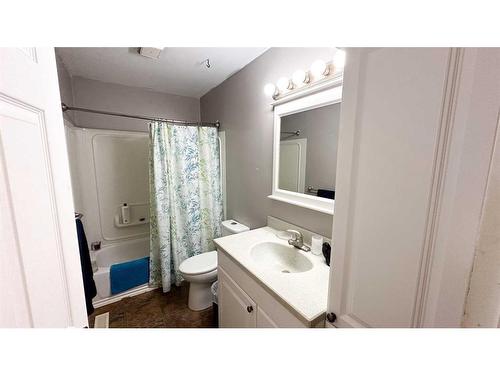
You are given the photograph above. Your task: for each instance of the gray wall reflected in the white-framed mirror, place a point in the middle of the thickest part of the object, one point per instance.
(320, 127)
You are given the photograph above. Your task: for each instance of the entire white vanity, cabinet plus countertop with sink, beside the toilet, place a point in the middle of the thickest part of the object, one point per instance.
(300, 296)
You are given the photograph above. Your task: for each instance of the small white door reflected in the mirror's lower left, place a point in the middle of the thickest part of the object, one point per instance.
(292, 171)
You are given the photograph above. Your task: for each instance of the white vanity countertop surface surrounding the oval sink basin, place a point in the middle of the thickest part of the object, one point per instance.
(304, 292)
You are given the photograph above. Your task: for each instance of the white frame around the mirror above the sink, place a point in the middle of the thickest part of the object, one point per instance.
(306, 101)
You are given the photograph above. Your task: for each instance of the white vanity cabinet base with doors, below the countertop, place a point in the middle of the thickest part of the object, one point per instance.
(246, 303)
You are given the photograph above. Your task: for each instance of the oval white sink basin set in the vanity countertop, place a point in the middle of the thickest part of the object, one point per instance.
(280, 258)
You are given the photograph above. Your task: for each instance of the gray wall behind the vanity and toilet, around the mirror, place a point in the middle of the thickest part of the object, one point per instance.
(247, 117)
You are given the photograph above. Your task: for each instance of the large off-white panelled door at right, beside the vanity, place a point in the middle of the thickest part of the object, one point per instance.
(402, 152)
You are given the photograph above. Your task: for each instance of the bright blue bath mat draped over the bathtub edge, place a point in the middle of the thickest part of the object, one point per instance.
(127, 275)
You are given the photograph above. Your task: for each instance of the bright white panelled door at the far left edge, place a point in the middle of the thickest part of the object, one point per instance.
(40, 275)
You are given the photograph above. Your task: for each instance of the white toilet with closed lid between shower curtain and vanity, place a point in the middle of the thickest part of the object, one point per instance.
(201, 270)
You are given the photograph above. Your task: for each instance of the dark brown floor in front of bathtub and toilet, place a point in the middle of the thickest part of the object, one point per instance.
(155, 310)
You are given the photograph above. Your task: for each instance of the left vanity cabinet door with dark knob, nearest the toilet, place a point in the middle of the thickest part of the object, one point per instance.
(236, 308)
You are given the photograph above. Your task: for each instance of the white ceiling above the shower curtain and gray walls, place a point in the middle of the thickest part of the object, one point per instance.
(179, 71)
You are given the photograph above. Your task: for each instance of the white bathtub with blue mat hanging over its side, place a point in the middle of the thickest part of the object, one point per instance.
(113, 254)
